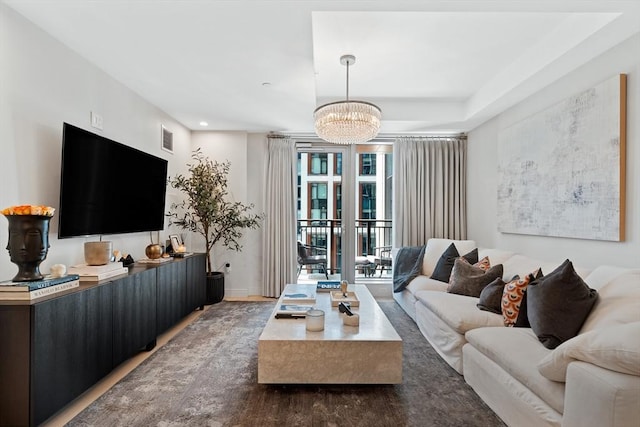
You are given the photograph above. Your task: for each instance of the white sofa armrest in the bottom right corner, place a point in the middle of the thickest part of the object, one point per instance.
(600, 397)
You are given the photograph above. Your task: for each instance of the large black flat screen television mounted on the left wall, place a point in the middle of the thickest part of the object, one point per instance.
(107, 187)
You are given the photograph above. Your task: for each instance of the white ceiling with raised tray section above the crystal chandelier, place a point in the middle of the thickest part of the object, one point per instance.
(260, 66)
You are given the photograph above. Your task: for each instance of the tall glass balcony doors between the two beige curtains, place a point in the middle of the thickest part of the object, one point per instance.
(344, 212)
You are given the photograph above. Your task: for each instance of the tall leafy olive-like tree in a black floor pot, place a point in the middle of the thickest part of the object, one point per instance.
(207, 210)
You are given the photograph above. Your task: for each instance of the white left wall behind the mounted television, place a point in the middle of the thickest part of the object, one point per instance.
(42, 85)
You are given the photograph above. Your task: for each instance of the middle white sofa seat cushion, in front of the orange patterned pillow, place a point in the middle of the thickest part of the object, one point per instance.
(457, 311)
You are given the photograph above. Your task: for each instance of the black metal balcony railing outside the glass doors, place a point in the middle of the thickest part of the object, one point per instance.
(371, 236)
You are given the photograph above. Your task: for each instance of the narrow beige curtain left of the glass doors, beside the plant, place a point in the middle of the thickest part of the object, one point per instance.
(279, 228)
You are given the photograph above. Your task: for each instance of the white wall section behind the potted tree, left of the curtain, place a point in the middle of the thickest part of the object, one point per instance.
(245, 154)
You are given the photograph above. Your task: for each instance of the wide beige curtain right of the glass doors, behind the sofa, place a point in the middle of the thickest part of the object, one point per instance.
(429, 189)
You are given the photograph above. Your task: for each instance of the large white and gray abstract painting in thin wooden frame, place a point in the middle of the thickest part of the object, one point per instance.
(561, 172)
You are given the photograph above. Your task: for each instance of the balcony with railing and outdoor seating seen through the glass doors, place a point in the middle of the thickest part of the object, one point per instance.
(373, 243)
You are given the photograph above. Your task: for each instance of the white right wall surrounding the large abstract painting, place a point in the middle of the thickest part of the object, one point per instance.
(482, 170)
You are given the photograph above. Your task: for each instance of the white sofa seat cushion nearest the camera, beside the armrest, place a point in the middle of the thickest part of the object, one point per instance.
(518, 351)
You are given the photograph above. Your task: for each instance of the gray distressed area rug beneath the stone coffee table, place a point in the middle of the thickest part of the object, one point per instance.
(207, 376)
